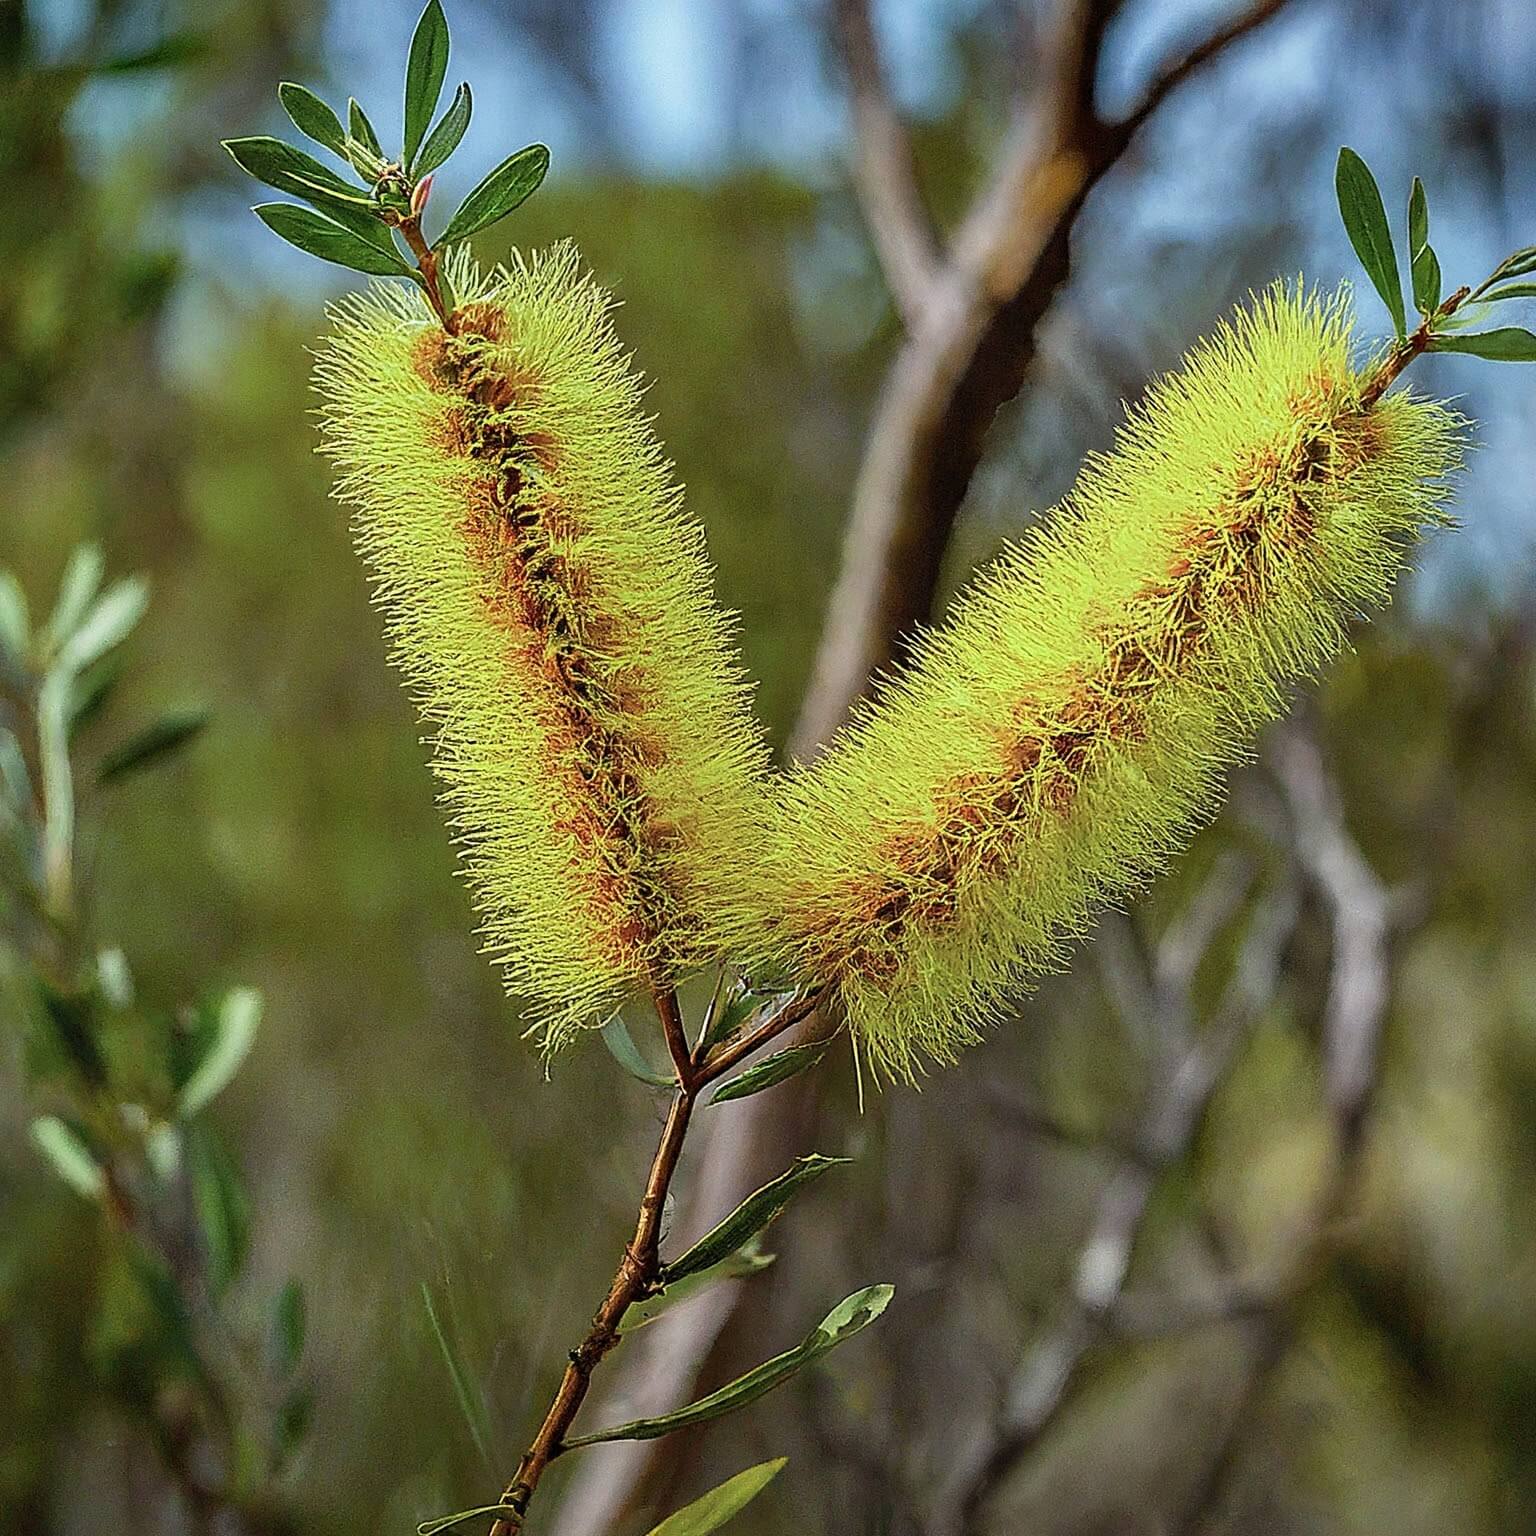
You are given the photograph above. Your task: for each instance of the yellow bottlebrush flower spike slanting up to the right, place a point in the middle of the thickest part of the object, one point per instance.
(1065, 730)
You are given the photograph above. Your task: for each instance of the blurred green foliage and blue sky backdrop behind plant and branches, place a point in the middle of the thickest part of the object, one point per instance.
(394, 1131)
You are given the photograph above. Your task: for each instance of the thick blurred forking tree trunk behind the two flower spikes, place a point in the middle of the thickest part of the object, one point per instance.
(972, 314)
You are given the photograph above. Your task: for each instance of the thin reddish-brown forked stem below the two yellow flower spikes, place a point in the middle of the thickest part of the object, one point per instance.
(640, 1273)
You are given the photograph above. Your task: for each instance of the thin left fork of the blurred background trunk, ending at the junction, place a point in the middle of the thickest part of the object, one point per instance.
(886, 171)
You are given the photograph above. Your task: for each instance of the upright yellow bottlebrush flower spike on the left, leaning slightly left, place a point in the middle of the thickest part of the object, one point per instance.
(552, 612)
